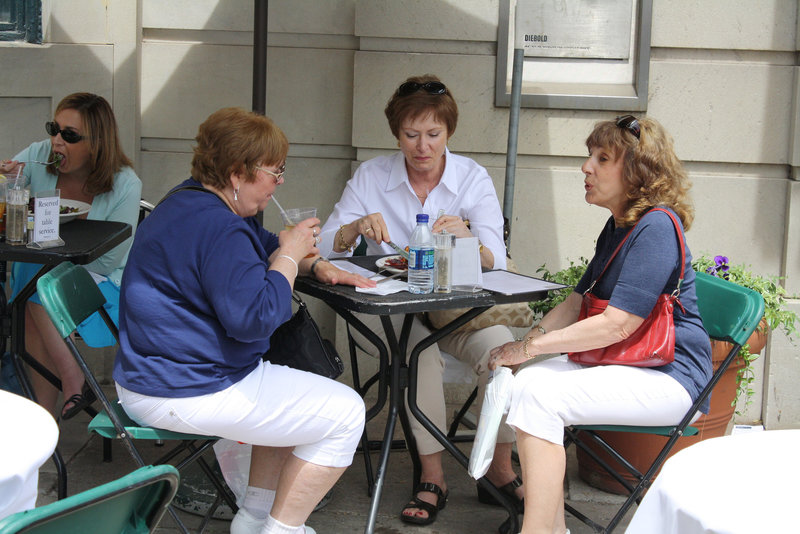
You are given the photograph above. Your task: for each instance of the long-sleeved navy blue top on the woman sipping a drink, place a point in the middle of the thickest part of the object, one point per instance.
(198, 303)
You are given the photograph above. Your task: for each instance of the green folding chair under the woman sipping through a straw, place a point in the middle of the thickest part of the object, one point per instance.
(70, 295)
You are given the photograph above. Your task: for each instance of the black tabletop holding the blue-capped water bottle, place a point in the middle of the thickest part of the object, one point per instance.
(403, 302)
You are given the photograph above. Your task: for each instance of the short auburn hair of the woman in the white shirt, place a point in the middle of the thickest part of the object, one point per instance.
(420, 103)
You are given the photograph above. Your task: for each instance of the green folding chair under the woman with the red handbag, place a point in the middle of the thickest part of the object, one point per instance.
(730, 313)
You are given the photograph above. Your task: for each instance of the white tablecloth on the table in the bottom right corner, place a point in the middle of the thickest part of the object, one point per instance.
(742, 484)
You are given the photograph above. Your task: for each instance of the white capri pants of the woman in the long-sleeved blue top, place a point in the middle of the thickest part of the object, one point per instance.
(274, 406)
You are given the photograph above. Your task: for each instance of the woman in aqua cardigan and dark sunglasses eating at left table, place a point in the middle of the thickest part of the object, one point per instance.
(84, 160)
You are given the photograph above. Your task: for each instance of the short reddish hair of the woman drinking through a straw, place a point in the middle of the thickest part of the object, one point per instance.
(235, 140)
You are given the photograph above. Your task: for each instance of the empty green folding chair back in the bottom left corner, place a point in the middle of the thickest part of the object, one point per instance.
(131, 504)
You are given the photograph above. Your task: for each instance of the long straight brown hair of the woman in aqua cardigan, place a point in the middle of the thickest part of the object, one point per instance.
(105, 152)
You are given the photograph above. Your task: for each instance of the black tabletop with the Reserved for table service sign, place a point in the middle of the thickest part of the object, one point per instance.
(84, 242)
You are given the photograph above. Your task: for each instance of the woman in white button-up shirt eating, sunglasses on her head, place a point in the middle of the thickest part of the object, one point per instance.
(379, 204)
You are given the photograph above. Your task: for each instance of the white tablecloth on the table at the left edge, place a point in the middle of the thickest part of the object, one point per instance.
(29, 437)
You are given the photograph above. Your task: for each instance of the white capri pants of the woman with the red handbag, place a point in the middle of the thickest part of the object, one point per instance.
(549, 395)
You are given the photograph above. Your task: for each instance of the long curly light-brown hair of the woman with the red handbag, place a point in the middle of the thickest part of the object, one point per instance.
(652, 173)
